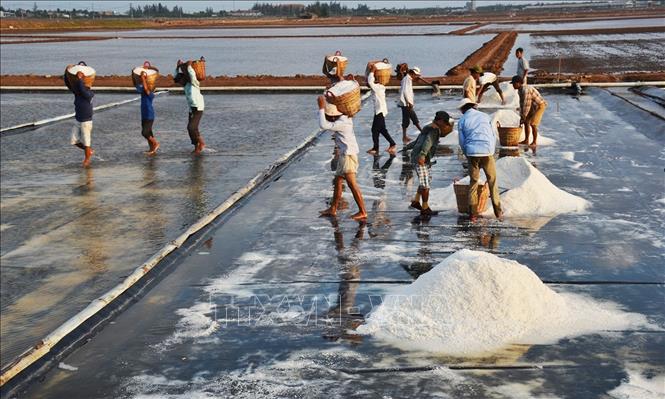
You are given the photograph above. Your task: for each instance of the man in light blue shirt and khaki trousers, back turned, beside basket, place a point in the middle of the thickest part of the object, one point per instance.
(478, 142)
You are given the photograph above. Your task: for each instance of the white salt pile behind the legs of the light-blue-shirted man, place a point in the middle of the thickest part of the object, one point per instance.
(529, 193)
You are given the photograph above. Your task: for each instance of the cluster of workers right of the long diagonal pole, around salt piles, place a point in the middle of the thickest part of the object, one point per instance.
(477, 138)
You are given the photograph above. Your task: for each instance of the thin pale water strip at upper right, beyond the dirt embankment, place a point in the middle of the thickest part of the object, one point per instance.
(608, 24)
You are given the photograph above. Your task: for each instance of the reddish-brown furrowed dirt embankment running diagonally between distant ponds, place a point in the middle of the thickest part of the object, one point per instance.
(491, 56)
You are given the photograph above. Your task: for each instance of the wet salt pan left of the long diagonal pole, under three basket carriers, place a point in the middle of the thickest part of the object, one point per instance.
(69, 234)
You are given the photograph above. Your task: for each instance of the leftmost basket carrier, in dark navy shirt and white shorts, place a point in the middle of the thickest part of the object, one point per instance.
(82, 129)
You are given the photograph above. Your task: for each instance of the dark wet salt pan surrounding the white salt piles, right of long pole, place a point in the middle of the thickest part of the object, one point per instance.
(199, 334)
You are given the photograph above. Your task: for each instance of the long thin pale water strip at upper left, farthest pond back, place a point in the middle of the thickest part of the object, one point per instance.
(300, 31)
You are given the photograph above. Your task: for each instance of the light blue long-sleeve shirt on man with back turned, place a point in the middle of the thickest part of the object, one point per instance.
(476, 136)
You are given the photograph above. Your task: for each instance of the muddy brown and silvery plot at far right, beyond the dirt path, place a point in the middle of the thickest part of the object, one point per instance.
(598, 53)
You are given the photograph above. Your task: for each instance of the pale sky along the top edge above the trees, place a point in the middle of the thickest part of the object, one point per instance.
(228, 5)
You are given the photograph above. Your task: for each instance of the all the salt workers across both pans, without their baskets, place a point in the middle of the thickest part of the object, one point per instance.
(476, 135)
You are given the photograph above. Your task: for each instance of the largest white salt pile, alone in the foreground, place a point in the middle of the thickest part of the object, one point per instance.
(475, 302)
